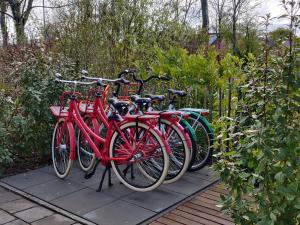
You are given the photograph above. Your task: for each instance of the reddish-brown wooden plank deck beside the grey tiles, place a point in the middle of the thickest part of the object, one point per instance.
(202, 209)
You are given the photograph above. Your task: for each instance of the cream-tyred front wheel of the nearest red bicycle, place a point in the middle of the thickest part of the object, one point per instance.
(61, 149)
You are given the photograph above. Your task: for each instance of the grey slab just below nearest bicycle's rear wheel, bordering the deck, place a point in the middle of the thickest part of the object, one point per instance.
(156, 200)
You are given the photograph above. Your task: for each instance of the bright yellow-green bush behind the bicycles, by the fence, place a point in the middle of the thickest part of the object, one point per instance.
(188, 71)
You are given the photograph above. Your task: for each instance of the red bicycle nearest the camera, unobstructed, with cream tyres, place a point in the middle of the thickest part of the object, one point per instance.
(131, 141)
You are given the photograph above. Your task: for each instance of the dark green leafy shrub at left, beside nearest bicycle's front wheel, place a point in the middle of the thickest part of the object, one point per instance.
(26, 124)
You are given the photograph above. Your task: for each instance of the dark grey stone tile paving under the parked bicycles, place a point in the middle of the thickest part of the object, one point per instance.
(115, 205)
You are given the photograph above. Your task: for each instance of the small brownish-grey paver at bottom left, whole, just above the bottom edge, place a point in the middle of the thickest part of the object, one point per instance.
(33, 214)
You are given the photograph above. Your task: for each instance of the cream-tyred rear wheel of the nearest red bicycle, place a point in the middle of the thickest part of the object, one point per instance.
(139, 172)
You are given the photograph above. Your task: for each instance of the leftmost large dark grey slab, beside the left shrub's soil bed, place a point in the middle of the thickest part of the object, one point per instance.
(25, 180)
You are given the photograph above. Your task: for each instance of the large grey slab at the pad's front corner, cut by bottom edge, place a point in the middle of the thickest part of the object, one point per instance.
(119, 213)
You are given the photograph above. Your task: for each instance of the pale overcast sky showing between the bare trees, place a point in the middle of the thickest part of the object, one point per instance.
(36, 20)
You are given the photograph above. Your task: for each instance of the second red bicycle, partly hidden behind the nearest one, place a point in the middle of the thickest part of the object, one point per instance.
(174, 134)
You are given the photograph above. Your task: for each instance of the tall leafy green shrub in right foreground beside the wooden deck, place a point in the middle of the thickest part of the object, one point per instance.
(259, 148)
